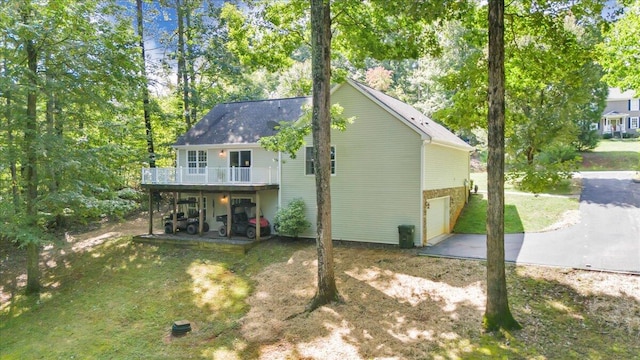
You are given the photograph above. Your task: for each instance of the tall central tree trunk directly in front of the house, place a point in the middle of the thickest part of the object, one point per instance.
(321, 128)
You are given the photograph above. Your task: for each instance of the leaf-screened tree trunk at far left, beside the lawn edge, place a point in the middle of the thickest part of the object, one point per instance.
(31, 158)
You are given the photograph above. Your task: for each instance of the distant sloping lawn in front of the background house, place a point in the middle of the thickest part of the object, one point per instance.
(613, 155)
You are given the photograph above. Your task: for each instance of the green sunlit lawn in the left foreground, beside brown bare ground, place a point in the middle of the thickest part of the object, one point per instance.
(119, 302)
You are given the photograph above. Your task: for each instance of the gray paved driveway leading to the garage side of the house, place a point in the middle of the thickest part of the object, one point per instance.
(606, 238)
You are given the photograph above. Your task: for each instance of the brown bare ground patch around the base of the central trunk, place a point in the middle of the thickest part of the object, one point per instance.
(389, 297)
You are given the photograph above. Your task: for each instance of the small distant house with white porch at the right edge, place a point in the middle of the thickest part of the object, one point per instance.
(622, 114)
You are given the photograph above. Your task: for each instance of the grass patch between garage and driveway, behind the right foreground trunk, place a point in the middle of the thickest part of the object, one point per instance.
(523, 213)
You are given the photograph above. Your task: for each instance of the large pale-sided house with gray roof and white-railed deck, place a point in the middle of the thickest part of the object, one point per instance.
(392, 166)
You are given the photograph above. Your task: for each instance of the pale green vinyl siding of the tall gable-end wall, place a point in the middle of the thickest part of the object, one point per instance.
(378, 183)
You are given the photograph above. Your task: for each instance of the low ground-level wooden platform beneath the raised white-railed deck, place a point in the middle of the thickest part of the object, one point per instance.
(233, 245)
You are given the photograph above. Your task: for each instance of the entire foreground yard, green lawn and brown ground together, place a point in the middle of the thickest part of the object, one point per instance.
(113, 299)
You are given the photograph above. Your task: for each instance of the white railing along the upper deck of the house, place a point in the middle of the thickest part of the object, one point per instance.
(211, 176)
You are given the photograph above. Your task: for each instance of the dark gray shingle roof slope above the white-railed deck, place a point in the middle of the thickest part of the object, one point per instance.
(242, 122)
